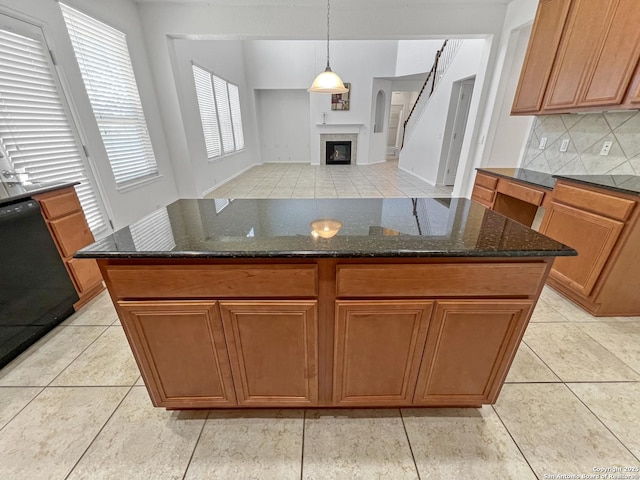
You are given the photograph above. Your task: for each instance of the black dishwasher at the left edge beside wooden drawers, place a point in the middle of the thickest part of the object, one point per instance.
(36, 292)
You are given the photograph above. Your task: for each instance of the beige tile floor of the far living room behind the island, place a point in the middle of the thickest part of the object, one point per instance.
(297, 180)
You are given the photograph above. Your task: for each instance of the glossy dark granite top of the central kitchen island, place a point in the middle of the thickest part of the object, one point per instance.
(271, 228)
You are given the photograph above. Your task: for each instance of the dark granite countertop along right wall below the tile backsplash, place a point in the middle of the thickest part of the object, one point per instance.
(619, 183)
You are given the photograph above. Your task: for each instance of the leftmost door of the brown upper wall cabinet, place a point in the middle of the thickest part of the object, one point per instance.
(538, 62)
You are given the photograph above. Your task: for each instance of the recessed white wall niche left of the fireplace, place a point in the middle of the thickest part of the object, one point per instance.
(283, 124)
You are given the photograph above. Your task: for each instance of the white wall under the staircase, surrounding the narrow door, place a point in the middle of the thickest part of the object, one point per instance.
(423, 147)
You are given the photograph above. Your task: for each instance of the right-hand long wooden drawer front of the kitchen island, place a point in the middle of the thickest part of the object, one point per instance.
(440, 280)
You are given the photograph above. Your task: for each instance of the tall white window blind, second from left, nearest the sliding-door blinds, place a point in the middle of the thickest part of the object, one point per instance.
(103, 57)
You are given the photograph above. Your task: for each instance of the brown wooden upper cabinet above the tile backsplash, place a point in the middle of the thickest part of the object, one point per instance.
(582, 56)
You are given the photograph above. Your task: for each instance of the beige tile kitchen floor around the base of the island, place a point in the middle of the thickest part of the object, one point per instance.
(73, 406)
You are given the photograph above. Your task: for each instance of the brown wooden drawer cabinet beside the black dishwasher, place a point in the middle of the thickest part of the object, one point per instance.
(65, 219)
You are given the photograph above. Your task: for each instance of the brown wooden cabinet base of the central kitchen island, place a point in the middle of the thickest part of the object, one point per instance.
(349, 334)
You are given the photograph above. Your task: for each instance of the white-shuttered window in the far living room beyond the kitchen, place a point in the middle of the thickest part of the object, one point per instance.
(219, 104)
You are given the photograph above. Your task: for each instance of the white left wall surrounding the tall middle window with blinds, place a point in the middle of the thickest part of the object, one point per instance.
(127, 206)
